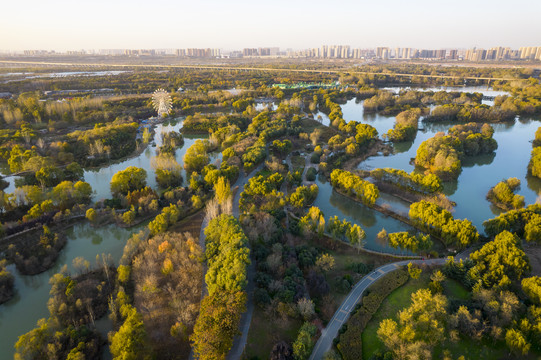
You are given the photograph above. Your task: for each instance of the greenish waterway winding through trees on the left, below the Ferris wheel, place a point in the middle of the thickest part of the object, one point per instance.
(20, 314)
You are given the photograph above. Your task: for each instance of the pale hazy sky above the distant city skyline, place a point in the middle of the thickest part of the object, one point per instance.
(298, 24)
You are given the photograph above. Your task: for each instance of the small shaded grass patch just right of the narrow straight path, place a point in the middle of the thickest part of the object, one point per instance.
(265, 332)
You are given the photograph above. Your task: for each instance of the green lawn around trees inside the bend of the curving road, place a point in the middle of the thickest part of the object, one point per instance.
(401, 298)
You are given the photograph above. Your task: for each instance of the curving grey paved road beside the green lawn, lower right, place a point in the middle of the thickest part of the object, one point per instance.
(343, 313)
